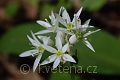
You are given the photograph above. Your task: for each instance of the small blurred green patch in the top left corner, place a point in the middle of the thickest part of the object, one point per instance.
(11, 9)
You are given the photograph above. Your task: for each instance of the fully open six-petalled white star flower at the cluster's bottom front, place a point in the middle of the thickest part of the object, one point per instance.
(59, 54)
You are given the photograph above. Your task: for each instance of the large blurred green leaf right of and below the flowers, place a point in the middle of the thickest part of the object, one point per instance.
(106, 57)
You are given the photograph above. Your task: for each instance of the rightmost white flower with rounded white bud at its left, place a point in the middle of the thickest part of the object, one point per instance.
(82, 34)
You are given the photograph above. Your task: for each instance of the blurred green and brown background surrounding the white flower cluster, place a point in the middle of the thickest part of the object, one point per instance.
(18, 18)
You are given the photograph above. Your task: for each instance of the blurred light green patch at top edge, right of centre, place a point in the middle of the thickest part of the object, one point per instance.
(93, 5)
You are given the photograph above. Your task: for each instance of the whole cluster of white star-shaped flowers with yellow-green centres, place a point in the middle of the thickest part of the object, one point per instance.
(67, 32)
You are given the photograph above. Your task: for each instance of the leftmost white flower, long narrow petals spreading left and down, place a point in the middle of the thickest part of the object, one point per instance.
(38, 49)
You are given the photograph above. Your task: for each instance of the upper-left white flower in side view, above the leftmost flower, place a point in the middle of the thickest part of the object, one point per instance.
(53, 27)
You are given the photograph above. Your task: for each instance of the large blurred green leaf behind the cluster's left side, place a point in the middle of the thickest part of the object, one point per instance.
(15, 40)
